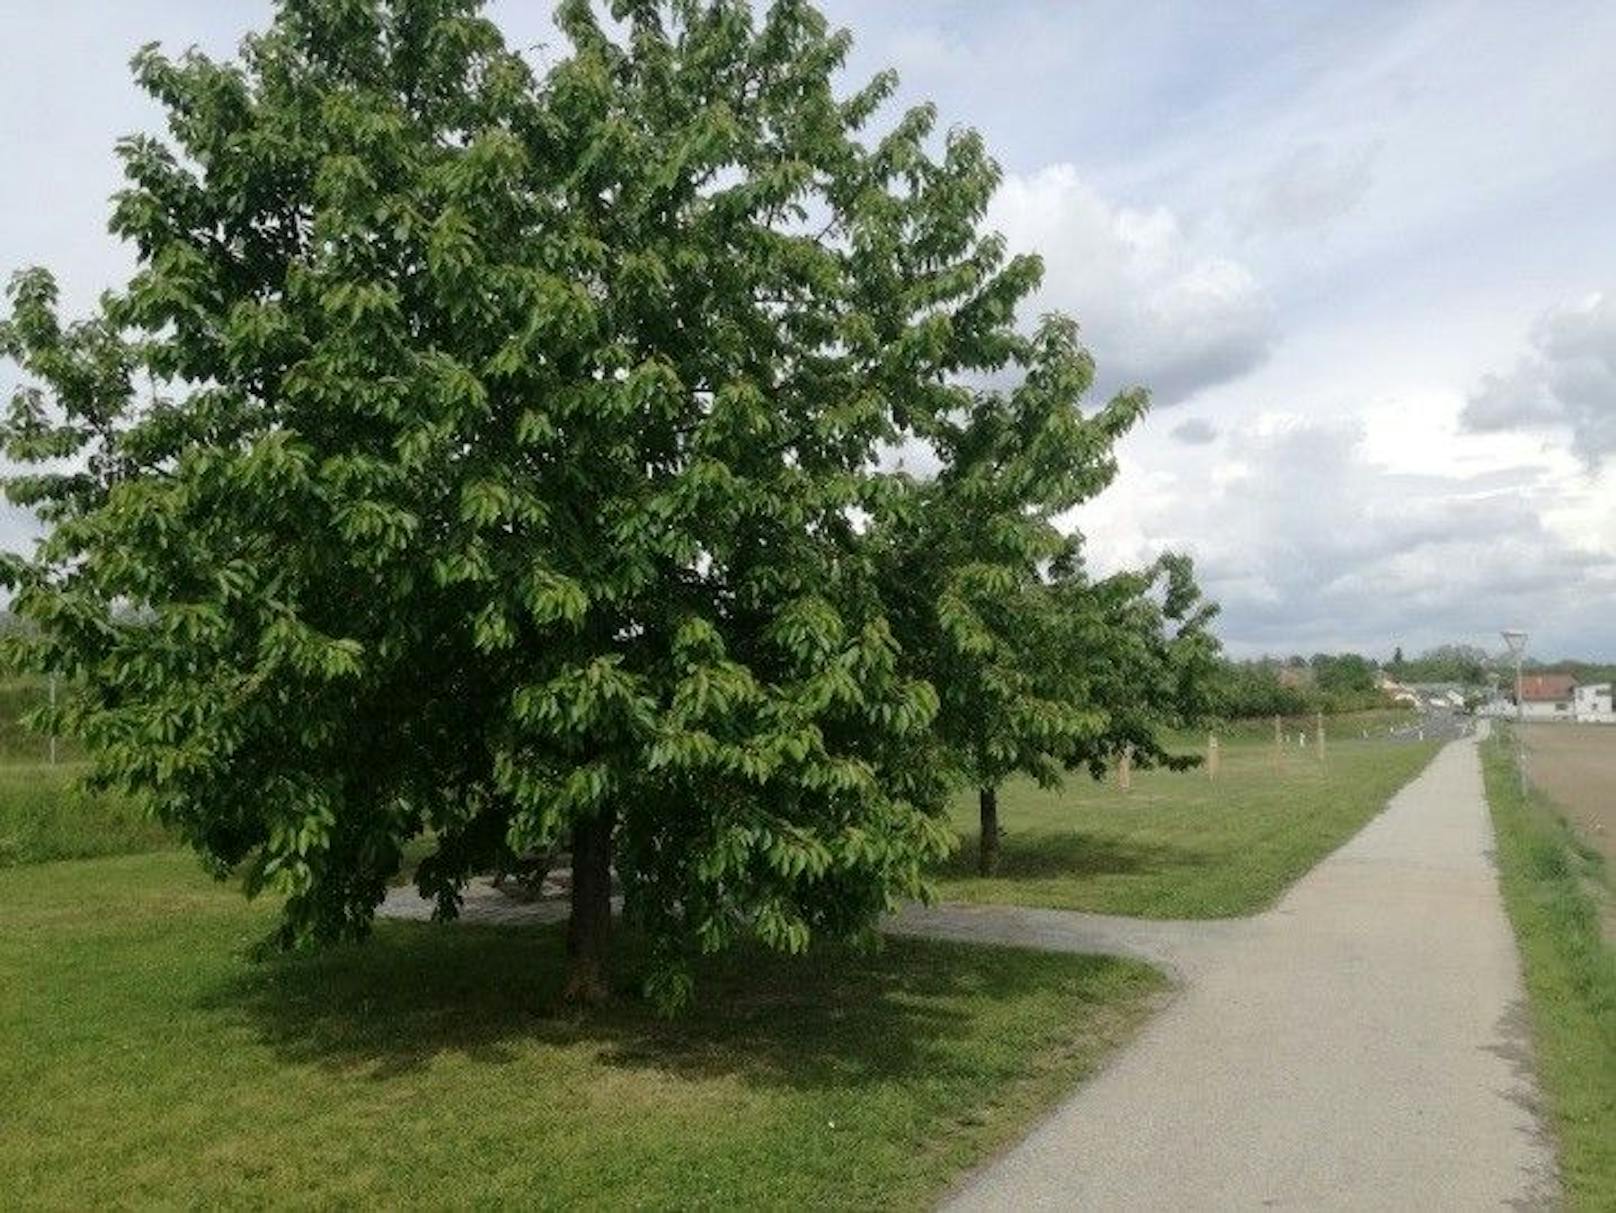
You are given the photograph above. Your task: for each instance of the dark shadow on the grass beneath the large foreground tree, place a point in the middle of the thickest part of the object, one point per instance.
(830, 1020)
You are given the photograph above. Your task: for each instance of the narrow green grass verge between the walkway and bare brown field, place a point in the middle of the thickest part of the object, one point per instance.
(1549, 881)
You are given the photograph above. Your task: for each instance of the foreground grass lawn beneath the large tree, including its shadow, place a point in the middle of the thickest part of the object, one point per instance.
(145, 1062)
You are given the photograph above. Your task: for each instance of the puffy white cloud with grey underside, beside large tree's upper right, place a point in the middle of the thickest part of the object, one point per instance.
(1156, 309)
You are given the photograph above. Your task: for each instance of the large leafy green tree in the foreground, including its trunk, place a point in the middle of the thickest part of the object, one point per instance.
(495, 455)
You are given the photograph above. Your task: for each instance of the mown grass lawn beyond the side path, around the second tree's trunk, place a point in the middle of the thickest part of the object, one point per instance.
(1180, 846)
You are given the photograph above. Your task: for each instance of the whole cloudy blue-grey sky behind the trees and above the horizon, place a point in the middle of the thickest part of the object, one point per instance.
(1365, 258)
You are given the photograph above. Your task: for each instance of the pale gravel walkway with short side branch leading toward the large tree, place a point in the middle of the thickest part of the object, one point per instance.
(1361, 1046)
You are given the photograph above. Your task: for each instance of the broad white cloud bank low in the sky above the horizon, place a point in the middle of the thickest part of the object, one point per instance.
(1310, 544)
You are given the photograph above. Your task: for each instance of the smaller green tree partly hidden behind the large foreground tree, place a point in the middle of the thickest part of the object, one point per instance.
(1040, 668)
